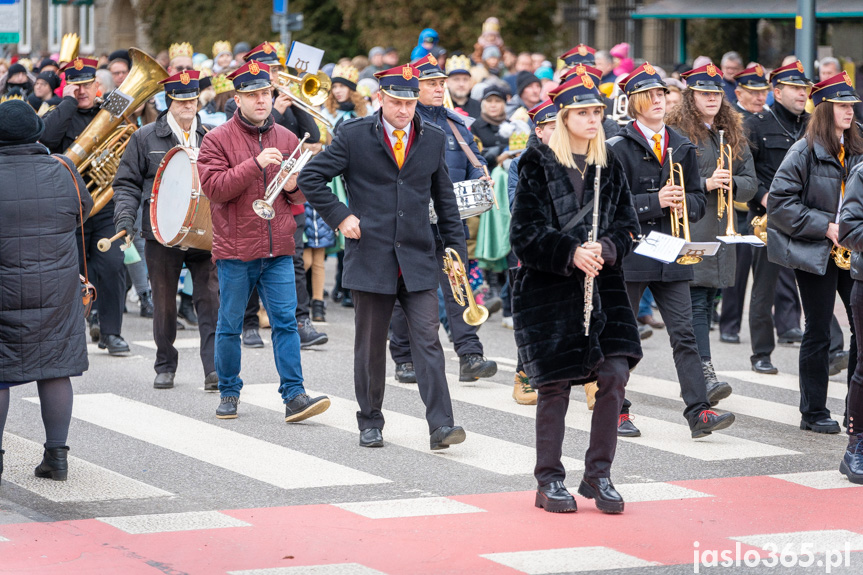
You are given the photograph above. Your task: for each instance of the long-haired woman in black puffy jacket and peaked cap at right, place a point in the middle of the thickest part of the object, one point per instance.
(803, 209)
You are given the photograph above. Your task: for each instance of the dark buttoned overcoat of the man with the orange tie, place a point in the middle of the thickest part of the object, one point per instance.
(391, 204)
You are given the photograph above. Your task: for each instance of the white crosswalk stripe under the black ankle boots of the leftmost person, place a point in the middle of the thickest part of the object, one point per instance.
(87, 482)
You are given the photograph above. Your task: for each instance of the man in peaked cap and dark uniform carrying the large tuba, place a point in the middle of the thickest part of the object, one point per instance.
(62, 126)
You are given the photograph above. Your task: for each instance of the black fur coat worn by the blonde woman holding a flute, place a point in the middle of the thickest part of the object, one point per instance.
(548, 292)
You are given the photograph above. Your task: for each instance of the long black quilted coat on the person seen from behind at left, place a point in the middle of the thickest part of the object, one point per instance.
(41, 335)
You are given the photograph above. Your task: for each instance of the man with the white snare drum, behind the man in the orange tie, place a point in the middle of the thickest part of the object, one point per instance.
(461, 155)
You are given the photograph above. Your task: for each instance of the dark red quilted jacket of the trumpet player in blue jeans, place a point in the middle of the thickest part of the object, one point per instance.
(232, 179)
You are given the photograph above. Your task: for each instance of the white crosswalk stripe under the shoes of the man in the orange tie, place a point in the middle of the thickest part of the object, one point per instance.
(482, 451)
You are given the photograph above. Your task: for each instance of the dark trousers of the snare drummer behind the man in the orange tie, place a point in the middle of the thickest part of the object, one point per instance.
(464, 337)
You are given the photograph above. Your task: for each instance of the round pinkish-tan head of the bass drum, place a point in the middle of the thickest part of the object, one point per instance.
(174, 194)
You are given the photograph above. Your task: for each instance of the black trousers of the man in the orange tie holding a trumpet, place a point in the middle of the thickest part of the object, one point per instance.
(372, 318)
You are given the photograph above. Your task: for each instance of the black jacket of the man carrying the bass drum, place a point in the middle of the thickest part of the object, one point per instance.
(133, 183)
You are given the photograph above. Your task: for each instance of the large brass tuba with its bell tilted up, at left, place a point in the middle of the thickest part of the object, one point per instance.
(97, 151)
